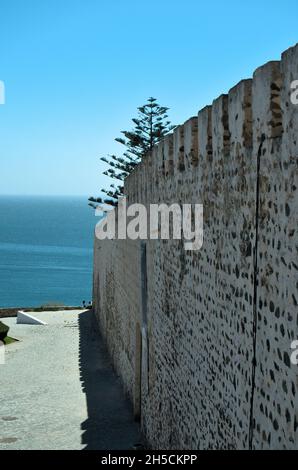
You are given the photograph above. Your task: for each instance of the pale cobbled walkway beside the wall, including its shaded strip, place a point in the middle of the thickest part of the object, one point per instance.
(58, 390)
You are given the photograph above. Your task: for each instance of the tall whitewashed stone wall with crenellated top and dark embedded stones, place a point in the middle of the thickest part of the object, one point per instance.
(204, 354)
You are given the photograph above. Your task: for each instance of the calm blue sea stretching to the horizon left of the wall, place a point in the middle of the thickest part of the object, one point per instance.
(45, 250)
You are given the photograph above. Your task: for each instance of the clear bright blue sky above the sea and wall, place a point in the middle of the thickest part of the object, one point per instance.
(76, 70)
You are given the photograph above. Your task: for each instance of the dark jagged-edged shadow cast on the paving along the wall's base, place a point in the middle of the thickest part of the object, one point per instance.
(110, 424)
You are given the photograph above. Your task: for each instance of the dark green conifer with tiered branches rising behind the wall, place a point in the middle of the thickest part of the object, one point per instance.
(150, 126)
